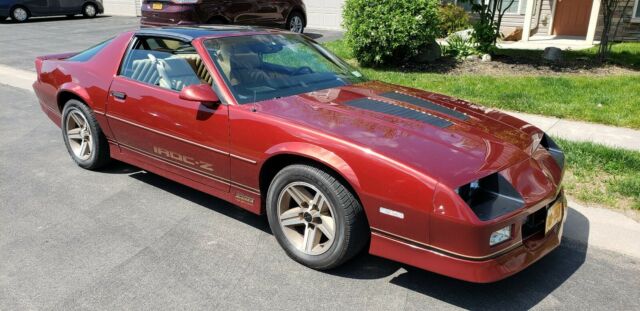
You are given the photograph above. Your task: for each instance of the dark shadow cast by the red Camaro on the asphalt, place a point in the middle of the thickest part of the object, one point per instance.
(521, 291)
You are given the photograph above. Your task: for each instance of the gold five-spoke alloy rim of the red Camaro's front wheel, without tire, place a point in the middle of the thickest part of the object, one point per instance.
(306, 218)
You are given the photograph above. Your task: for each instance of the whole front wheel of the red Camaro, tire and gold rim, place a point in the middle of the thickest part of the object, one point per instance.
(315, 218)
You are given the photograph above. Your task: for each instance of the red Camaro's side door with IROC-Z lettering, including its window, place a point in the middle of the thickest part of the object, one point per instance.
(151, 123)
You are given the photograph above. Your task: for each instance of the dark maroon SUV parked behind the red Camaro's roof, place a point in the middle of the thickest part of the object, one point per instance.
(289, 14)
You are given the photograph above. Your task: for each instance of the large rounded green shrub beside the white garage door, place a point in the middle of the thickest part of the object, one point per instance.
(389, 31)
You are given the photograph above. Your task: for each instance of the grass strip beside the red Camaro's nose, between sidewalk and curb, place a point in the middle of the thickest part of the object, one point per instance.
(598, 174)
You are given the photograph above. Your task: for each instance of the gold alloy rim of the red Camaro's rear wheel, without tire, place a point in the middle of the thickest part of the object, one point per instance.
(79, 135)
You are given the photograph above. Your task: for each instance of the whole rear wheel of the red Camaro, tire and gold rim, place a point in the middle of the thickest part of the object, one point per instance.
(83, 136)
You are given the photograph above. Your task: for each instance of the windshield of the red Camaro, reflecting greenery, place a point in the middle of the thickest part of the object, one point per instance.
(262, 67)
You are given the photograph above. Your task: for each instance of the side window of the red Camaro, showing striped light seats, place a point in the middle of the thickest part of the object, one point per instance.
(167, 63)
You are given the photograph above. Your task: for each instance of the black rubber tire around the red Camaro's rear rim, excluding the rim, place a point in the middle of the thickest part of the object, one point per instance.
(99, 156)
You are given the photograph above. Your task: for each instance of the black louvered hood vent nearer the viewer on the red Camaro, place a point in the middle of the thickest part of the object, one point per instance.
(398, 111)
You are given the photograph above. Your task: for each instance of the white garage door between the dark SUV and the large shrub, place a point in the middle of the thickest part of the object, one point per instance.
(326, 14)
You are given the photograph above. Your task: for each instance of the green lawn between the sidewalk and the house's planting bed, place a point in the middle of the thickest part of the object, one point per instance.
(613, 100)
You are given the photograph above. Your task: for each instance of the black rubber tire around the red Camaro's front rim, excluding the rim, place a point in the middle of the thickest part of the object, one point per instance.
(351, 228)
